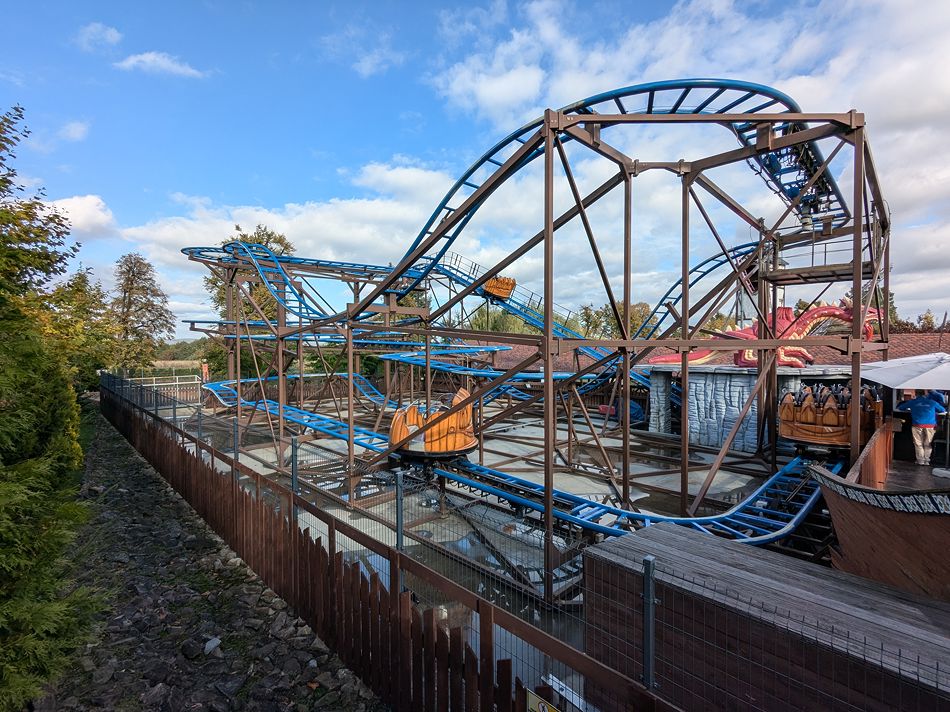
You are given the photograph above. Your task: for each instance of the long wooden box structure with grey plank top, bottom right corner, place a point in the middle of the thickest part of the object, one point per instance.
(739, 608)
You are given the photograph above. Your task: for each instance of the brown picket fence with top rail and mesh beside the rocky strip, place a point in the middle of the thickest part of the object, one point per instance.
(415, 636)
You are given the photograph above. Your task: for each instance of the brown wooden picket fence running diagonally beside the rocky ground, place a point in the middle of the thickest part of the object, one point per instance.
(404, 654)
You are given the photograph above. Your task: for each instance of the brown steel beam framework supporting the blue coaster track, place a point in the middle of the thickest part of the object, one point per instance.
(751, 276)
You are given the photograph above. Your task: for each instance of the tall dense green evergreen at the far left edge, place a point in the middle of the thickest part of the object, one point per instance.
(42, 617)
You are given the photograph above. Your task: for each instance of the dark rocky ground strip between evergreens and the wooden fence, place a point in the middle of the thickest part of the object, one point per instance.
(186, 626)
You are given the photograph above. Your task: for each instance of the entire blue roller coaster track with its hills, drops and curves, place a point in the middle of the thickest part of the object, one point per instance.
(769, 514)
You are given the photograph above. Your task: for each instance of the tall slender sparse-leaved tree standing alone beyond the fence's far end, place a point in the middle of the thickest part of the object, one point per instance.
(140, 310)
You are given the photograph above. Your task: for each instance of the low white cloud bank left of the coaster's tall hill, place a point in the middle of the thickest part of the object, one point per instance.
(375, 228)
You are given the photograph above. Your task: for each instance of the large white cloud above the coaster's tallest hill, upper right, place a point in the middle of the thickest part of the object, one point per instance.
(878, 57)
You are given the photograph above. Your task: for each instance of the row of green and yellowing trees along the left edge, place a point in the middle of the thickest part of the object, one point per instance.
(56, 331)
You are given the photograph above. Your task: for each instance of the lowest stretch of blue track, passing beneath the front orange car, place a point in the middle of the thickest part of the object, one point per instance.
(769, 514)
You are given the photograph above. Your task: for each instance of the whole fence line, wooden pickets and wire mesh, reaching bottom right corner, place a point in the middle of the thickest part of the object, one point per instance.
(436, 598)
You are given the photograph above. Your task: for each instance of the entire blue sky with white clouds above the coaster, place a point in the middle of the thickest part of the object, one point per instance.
(343, 124)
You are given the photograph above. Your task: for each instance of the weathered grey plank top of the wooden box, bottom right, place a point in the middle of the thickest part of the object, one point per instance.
(875, 615)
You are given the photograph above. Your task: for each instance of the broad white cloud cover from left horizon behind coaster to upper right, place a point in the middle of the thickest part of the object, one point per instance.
(877, 64)
